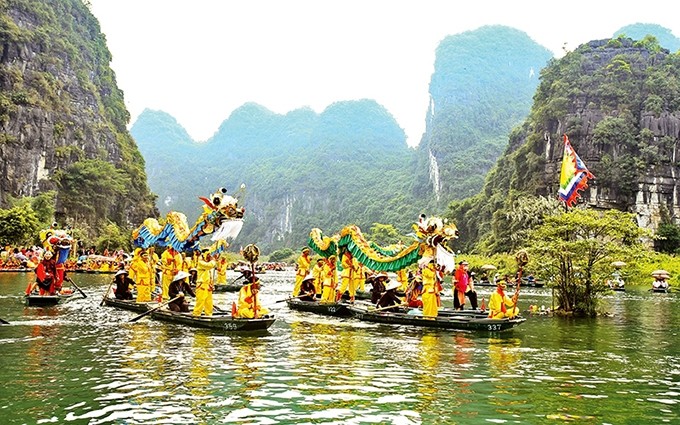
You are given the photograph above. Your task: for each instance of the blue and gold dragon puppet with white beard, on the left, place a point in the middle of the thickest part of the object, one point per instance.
(221, 218)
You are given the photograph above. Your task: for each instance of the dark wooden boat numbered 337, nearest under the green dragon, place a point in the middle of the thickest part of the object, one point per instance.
(456, 322)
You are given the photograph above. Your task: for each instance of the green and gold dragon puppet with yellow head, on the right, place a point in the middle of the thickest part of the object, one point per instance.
(430, 235)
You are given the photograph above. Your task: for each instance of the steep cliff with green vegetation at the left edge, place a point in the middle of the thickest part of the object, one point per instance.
(59, 105)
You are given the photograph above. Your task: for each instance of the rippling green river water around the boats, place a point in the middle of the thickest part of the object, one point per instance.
(79, 363)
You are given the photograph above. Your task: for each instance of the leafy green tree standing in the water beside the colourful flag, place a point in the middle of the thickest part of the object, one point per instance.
(576, 249)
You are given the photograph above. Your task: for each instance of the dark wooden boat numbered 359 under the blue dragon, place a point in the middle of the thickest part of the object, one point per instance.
(219, 321)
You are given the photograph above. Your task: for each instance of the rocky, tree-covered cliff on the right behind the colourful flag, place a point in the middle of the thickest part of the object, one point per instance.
(618, 100)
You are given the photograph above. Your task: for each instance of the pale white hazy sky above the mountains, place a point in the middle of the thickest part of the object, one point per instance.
(198, 60)
